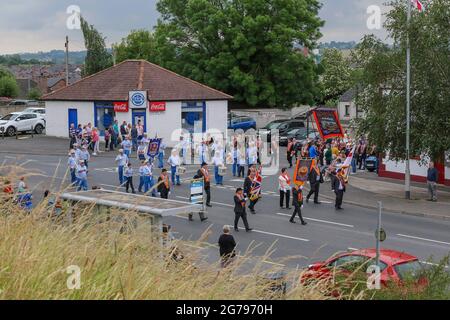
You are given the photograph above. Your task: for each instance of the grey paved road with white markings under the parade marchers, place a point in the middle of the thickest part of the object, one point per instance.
(327, 231)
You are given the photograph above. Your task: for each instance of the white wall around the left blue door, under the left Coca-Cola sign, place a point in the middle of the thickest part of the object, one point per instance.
(57, 116)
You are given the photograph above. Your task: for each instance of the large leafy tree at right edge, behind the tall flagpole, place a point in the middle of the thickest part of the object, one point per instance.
(382, 95)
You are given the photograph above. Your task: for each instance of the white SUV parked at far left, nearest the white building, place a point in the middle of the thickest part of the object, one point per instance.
(21, 122)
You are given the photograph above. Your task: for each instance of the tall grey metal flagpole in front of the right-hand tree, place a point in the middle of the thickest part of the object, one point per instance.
(408, 102)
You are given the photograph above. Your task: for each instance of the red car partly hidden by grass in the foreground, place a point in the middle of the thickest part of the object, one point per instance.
(394, 265)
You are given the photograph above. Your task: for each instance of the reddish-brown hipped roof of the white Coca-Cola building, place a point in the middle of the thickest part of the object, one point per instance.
(114, 83)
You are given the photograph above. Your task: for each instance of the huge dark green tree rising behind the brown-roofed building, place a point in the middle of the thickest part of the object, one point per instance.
(246, 48)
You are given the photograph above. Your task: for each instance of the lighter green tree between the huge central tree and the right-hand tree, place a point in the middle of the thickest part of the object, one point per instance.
(337, 76)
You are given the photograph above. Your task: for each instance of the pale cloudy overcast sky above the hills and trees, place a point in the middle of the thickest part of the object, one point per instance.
(40, 25)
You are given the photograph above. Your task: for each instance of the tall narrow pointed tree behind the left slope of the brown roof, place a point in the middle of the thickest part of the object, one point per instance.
(97, 57)
